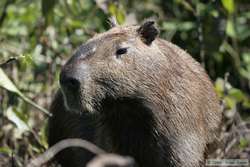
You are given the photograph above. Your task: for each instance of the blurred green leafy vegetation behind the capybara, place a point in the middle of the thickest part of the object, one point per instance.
(37, 37)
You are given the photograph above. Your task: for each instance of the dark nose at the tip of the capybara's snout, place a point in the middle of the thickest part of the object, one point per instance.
(69, 81)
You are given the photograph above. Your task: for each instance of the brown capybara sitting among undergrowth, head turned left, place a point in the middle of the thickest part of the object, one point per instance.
(134, 94)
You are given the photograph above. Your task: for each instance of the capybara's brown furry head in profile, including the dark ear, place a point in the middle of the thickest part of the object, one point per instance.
(120, 63)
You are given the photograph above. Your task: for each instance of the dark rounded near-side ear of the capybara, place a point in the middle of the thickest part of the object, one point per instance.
(148, 32)
